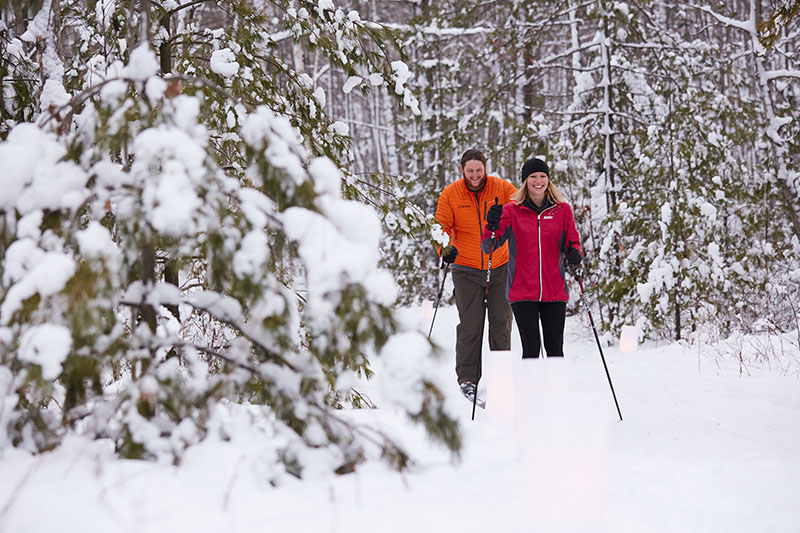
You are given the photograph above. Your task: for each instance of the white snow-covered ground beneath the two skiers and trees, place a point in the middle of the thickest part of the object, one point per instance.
(701, 448)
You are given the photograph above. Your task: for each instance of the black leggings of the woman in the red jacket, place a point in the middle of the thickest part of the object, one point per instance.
(552, 316)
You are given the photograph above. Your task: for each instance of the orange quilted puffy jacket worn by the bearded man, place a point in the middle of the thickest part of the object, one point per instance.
(462, 214)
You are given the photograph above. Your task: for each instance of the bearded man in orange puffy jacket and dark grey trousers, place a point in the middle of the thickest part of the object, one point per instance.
(461, 212)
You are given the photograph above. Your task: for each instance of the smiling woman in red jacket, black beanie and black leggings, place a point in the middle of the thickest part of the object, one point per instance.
(541, 234)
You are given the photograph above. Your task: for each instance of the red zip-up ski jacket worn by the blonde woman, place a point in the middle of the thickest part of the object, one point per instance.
(536, 244)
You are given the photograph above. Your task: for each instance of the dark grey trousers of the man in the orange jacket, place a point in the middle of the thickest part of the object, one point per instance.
(470, 287)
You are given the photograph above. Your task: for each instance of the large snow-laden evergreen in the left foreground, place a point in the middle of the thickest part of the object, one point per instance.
(170, 244)
